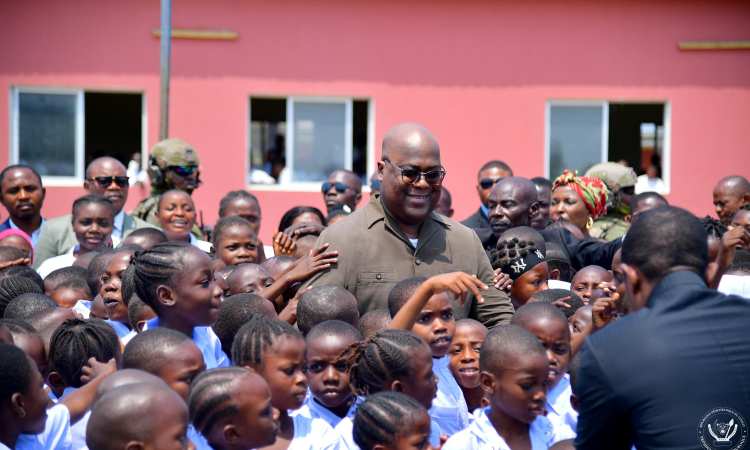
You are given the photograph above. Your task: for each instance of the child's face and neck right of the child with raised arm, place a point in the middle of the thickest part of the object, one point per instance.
(464, 364)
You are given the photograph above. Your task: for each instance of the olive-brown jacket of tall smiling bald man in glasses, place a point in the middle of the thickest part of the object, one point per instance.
(375, 254)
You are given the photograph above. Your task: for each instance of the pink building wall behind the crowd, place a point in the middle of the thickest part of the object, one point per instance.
(476, 73)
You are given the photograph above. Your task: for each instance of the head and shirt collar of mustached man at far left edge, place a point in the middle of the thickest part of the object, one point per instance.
(22, 195)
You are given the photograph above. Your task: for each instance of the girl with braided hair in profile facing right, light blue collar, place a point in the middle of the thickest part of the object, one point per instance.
(177, 281)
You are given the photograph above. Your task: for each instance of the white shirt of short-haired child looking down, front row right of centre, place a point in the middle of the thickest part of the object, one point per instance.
(482, 435)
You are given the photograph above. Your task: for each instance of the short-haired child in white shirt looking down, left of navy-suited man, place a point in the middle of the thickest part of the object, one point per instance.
(514, 371)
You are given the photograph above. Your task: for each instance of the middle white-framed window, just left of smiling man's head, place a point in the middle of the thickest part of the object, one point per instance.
(295, 142)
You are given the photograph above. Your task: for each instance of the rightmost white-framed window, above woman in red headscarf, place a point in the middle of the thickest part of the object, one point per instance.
(579, 134)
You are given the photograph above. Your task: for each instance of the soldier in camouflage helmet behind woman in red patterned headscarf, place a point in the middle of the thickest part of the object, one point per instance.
(621, 183)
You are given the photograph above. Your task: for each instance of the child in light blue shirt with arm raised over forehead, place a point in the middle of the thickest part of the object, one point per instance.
(423, 306)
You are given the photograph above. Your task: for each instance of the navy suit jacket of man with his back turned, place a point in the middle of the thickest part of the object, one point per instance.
(650, 378)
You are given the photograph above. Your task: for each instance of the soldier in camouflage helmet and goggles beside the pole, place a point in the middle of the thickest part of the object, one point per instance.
(173, 164)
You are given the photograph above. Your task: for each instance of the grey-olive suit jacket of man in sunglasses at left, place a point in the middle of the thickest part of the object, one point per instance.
(57, 236)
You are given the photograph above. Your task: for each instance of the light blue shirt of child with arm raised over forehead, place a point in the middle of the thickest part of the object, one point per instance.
(449, 408)
